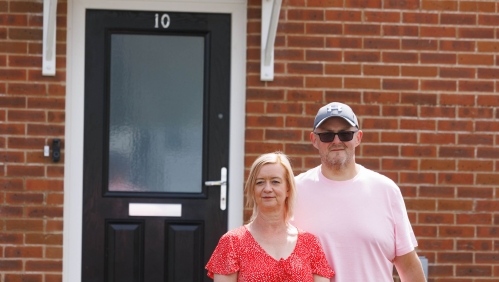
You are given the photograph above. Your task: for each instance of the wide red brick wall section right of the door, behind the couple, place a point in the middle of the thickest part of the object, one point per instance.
(422, 77)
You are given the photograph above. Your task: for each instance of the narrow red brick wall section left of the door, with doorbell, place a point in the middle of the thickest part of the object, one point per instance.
(31, 115)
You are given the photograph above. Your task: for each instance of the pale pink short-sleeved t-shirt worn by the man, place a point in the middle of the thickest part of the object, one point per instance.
(362, 223)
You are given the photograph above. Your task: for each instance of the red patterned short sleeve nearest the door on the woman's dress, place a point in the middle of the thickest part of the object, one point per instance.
(224, 259)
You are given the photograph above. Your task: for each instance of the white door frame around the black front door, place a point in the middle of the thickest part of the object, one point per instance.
(75, 50)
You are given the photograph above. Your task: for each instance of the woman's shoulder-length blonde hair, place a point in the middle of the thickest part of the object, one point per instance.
(271, 158)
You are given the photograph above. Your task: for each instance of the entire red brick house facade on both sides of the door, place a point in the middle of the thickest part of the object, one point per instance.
(420, 74)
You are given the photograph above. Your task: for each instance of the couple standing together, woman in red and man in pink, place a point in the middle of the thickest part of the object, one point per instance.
(357, 217)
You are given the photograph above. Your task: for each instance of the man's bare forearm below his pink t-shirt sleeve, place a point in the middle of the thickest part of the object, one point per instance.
(409, 268)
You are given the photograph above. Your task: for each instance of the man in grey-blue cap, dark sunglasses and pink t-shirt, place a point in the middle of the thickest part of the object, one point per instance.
(358, 215)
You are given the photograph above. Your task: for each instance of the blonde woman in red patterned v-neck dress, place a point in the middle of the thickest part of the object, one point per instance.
(269, 248)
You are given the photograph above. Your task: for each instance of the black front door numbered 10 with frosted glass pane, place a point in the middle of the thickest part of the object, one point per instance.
(156, 130)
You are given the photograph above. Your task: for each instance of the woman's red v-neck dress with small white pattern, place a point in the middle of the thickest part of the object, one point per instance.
(238, 251)
